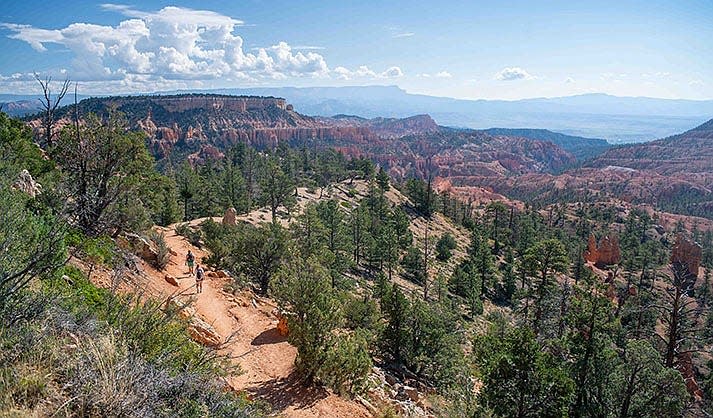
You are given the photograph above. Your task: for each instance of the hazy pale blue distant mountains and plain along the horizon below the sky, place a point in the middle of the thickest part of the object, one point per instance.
(616, 119)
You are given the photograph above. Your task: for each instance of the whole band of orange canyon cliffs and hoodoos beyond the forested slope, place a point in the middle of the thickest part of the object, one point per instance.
(674, 174)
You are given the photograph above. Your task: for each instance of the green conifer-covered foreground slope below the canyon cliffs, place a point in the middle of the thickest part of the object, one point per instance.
(398, 297)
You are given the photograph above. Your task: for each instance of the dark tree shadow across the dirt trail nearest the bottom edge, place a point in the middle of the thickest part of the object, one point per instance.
(287, 391)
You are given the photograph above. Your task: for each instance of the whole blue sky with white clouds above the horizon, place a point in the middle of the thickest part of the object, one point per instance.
(464, 49)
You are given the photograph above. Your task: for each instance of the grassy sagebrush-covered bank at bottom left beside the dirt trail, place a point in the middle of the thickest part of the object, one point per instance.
(83, 351)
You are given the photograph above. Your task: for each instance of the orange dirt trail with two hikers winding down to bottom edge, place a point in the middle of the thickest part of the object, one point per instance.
(248, 324)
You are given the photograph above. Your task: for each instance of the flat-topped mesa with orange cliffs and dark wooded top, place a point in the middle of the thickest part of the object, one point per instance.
(204, 125)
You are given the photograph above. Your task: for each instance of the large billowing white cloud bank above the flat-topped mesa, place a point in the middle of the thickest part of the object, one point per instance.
(173, 43)
